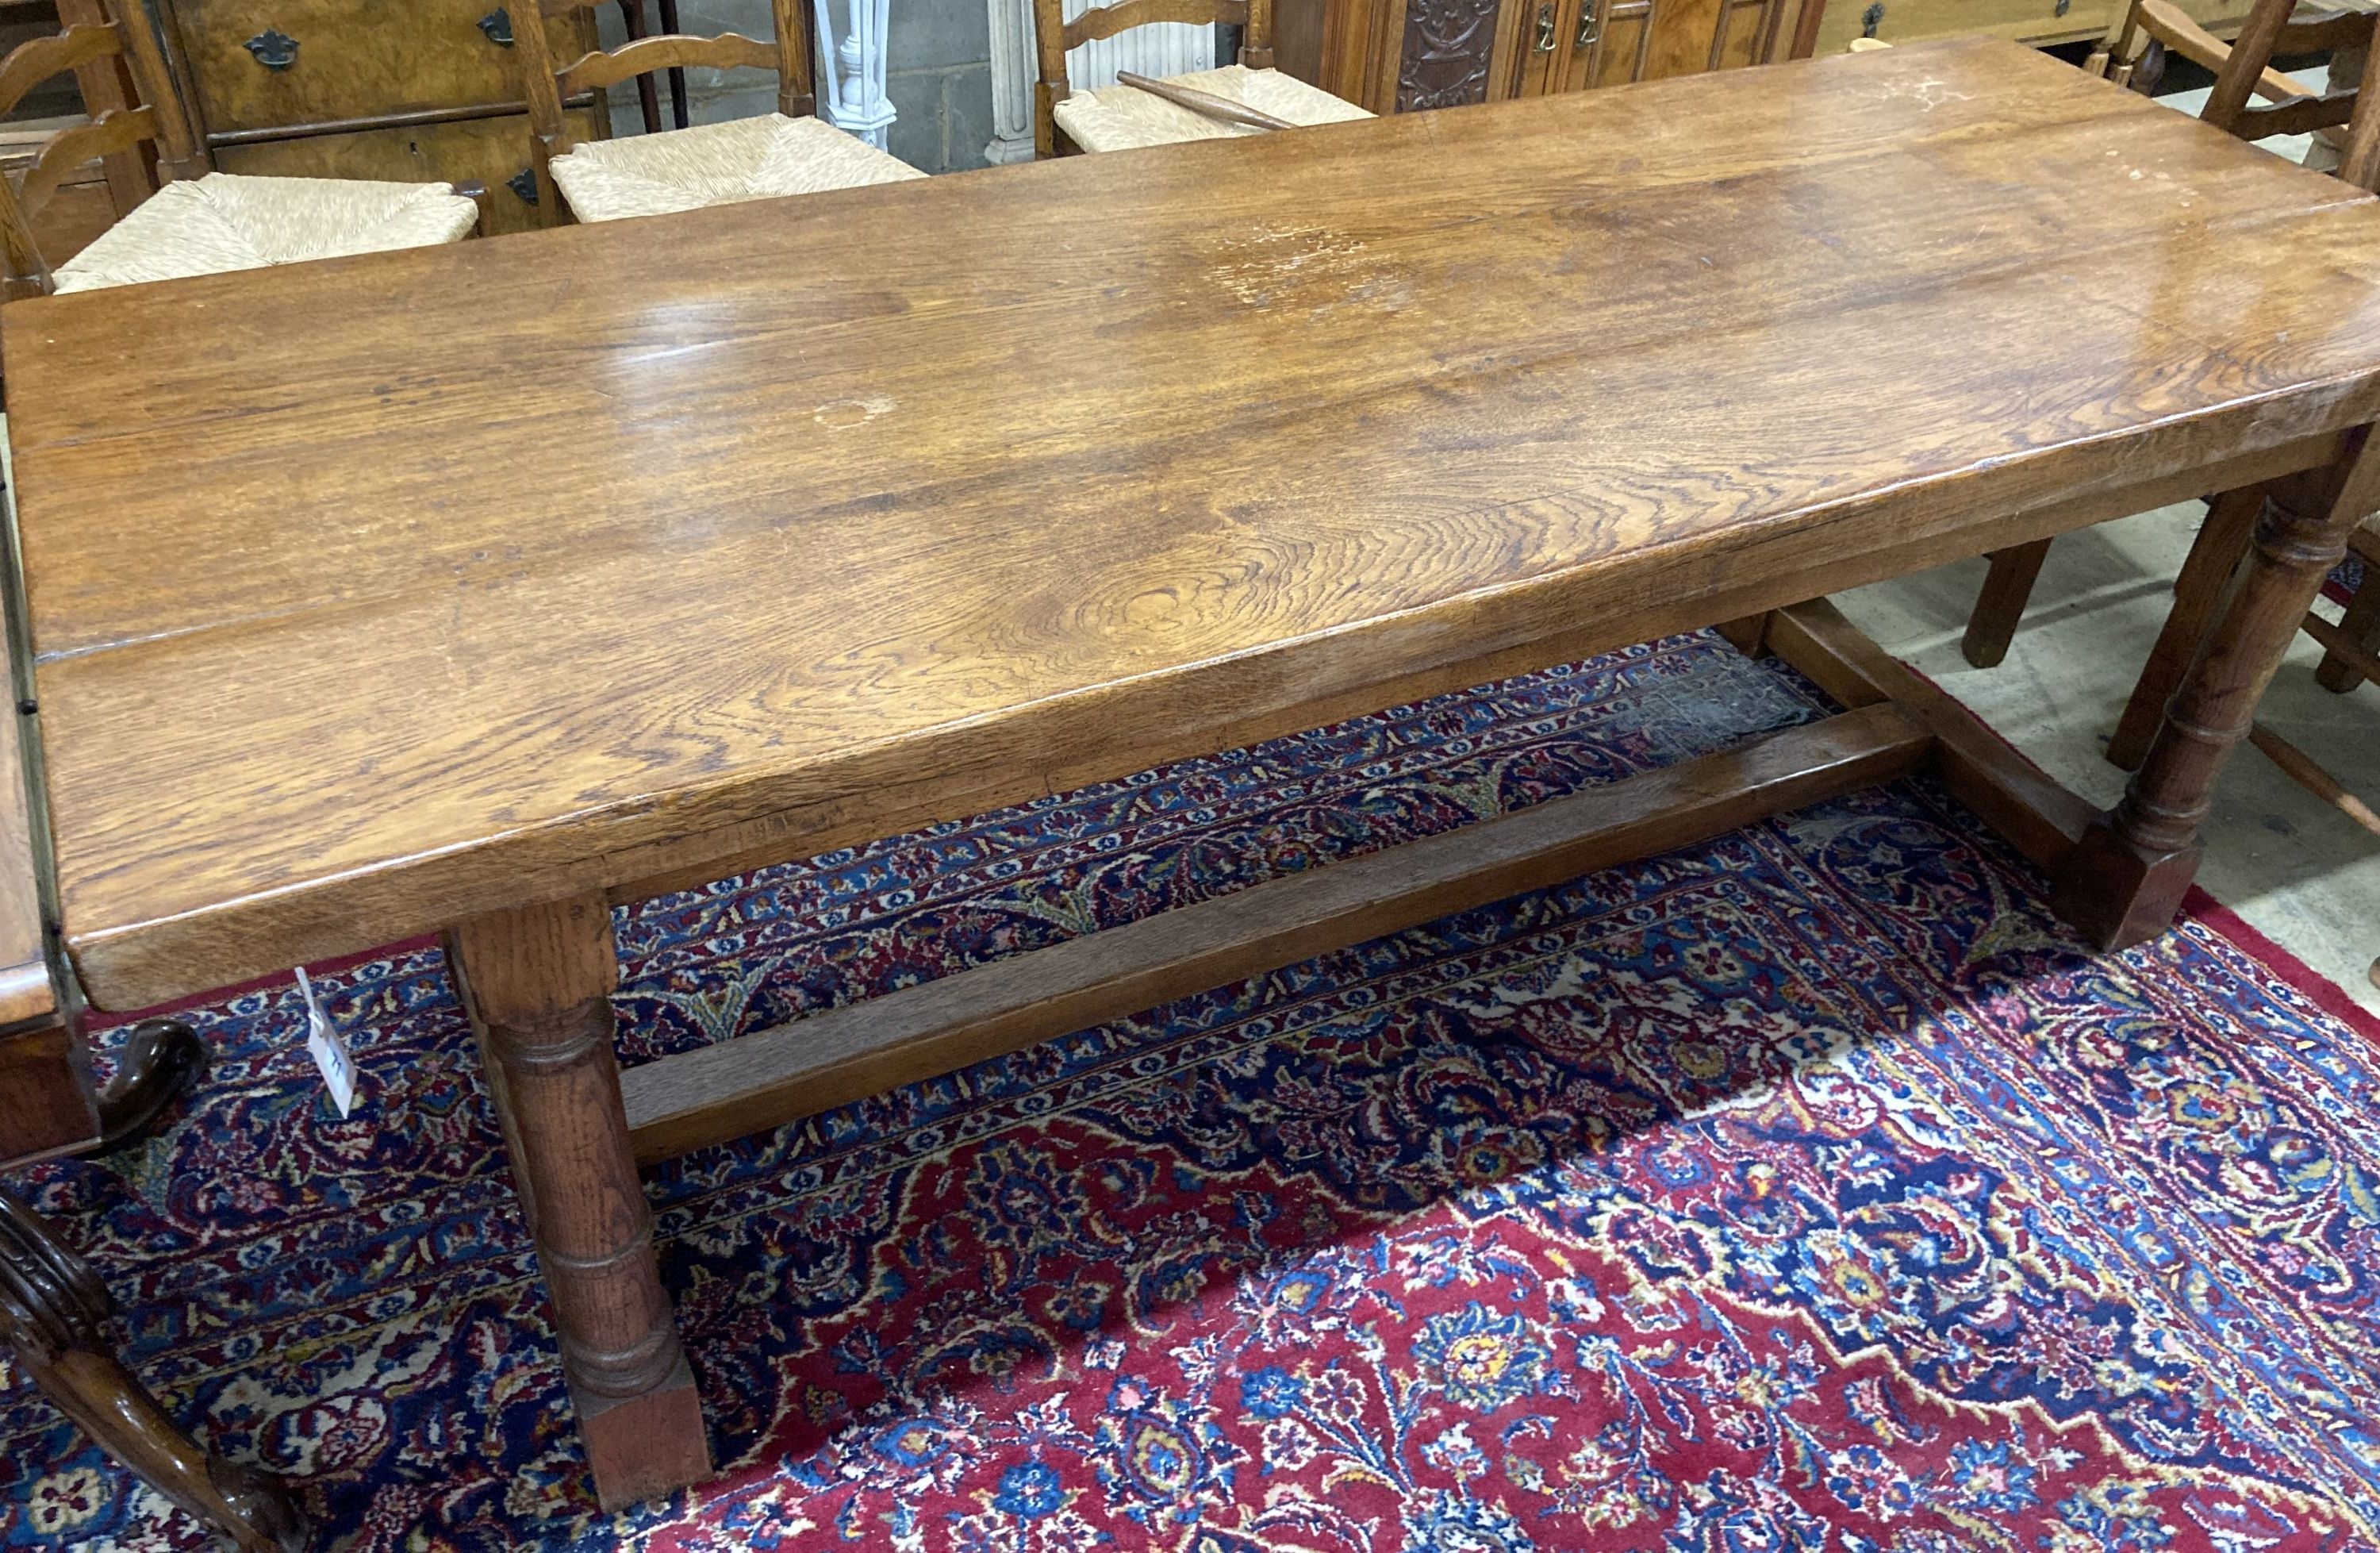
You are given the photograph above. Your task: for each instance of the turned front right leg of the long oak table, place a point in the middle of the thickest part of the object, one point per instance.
(2127, 878)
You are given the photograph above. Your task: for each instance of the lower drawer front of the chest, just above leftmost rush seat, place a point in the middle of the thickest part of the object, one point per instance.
(494, 151)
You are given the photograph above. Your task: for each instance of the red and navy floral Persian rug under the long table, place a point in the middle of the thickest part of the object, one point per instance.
(1798, 1192)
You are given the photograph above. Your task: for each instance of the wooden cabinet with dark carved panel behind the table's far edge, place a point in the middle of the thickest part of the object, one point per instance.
(1401, 56)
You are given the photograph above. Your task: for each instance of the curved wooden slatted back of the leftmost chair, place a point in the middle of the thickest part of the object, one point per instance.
(158, 120)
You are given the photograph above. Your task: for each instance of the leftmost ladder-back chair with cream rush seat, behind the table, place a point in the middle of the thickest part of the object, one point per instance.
(199, 223)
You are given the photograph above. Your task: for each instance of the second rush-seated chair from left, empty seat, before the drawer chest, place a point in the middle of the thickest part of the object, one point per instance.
(772, 156)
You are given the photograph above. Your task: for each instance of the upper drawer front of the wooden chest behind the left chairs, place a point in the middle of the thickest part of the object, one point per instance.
(282, 63)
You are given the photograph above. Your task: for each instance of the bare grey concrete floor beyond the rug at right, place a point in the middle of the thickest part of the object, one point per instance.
(2300, 871)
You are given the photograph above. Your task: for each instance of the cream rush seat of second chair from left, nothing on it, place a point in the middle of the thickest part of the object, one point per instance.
(718, 166)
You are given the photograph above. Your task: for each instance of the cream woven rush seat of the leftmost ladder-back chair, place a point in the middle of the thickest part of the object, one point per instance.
(230, 223)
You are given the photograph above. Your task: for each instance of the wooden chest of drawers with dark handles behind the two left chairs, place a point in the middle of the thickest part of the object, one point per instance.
(370, 89)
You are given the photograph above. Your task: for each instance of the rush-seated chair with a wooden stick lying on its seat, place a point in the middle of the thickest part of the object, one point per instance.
(1120, 118)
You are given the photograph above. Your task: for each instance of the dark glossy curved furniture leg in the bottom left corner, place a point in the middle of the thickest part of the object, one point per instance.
(56, 1314)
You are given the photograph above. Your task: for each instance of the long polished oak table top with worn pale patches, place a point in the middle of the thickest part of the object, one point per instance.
(380, 592)
